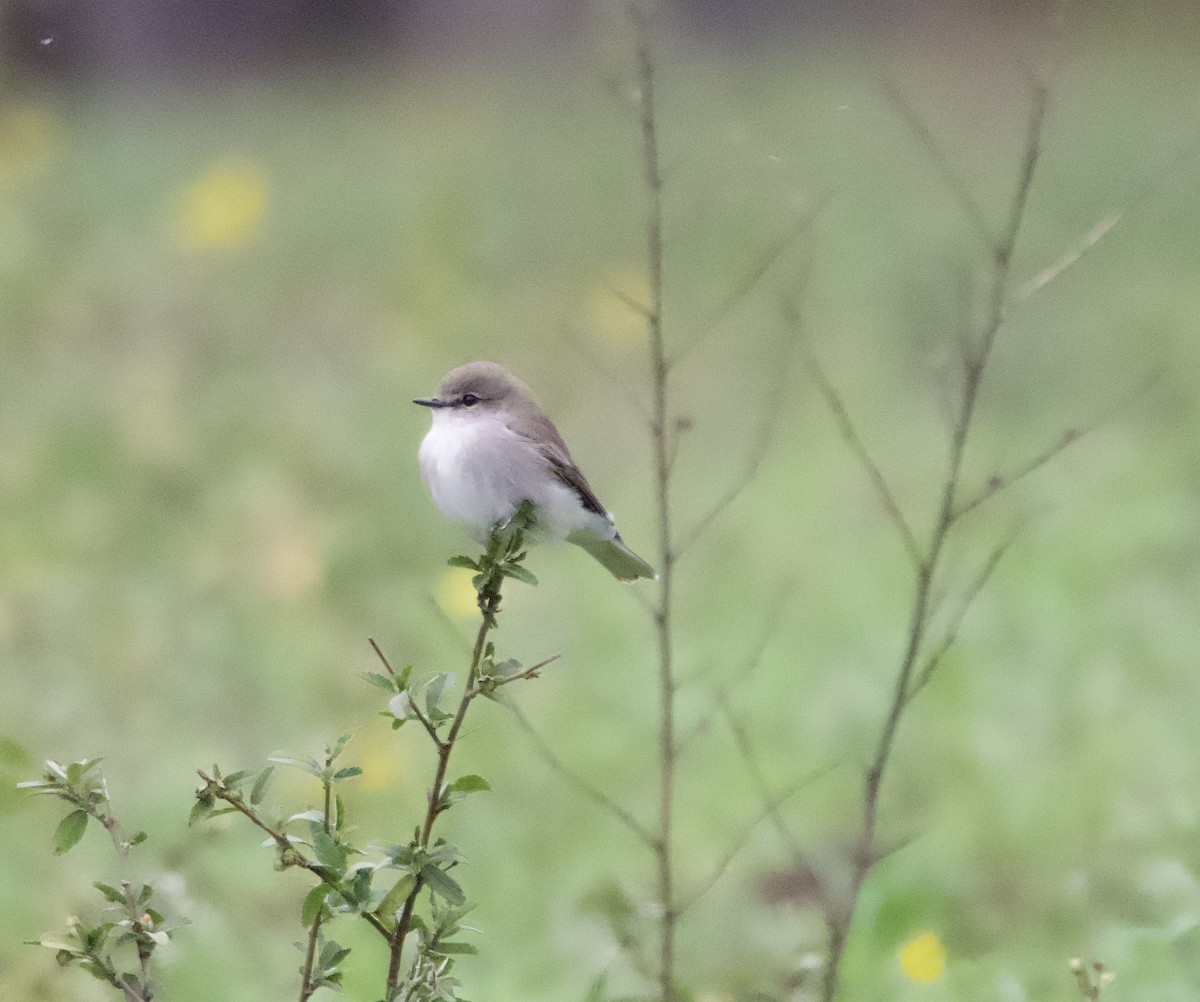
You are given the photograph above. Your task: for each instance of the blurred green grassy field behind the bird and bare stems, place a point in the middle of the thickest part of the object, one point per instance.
(217, 302)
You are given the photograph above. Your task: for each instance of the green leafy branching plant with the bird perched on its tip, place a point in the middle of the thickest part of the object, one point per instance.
(407, 892)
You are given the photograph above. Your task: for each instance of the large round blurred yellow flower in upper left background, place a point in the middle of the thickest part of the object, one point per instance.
(224, 209)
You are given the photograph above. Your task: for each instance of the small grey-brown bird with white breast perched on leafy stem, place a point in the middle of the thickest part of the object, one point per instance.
(491, 448)
